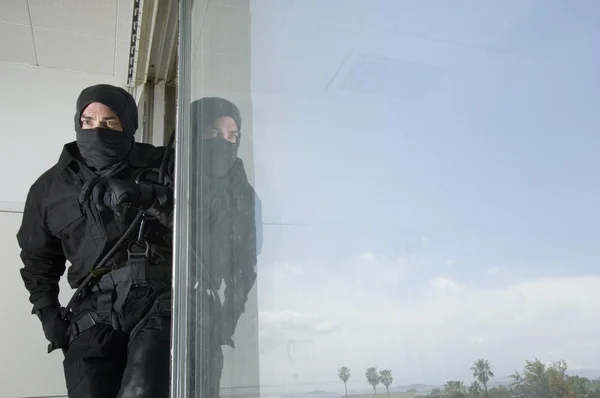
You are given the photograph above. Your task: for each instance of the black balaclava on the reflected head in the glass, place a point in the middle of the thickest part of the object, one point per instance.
(217, 154)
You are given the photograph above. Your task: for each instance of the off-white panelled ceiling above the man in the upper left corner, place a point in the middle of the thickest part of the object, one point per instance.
(86, 36)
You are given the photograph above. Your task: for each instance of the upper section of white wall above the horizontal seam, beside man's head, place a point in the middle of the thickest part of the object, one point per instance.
(37, 106)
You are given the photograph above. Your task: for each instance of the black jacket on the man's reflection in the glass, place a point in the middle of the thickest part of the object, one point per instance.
(224, 238)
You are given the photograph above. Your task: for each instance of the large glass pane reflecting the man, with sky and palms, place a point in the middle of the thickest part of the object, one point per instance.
(416, 192)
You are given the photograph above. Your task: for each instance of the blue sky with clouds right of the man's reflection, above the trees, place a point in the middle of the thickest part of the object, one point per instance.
(448, 213)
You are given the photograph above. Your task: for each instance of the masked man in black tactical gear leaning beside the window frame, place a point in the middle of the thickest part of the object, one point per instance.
(103, 209)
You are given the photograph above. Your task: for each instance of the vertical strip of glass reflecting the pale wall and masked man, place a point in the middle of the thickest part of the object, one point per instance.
(224, 213)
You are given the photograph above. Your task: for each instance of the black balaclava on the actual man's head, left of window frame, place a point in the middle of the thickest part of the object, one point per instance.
(101, 148)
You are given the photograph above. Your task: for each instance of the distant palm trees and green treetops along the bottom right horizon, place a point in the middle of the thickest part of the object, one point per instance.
(536, 380)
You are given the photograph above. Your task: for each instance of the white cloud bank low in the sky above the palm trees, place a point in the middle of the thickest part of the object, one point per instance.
(426, 332)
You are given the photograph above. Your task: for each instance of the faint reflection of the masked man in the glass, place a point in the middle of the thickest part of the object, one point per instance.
(223, 232)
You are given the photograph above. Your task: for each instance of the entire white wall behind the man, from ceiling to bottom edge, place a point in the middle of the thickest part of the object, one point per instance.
(37, 106)
